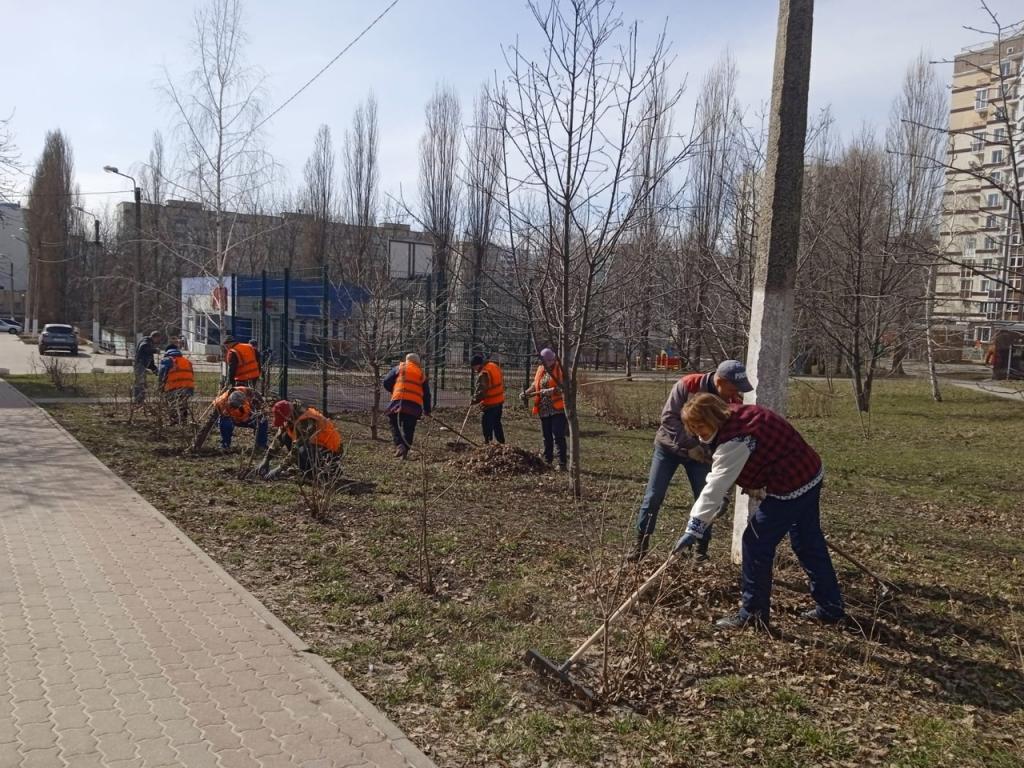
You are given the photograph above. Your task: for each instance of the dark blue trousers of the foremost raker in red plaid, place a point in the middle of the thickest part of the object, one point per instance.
(800, 519)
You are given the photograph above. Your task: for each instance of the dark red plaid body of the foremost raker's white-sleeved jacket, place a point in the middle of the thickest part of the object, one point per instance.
(781, 462)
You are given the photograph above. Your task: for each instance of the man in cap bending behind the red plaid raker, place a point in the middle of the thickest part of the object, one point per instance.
(675, 448)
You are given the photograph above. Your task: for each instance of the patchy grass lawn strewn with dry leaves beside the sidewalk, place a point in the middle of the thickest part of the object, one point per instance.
(930, 495)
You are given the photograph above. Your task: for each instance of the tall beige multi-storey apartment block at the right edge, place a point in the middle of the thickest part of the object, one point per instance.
(979, 282)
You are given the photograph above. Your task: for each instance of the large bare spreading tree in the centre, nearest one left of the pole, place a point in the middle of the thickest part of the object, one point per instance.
(572, 120)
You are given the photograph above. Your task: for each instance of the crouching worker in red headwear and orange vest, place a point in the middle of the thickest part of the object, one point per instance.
(312, 440)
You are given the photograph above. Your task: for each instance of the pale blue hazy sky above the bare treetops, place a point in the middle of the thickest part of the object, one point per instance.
(93, 68)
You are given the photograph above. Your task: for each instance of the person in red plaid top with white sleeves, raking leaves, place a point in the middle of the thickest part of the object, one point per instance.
(761, 452)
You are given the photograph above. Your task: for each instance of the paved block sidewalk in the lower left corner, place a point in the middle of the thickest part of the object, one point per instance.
(123, 646)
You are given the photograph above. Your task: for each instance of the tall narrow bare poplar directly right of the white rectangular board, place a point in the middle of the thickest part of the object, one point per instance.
(440, 200)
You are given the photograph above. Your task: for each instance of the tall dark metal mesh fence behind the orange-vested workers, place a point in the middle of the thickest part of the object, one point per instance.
(329, 344)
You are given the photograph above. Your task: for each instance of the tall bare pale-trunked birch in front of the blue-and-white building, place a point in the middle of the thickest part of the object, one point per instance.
(220, 108)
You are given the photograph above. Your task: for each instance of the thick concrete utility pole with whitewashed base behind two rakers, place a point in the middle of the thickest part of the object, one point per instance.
(776, 270)
